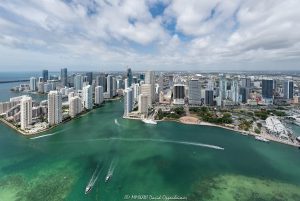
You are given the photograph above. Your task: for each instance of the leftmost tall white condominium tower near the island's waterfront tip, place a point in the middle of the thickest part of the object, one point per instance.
(26, 112)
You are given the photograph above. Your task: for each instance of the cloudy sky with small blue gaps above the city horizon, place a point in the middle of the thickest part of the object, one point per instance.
(107, 35)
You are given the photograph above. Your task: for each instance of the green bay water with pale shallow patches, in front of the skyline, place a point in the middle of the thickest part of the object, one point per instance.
(60, 165)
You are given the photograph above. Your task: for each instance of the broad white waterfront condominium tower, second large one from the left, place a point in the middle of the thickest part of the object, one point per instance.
(54, 107)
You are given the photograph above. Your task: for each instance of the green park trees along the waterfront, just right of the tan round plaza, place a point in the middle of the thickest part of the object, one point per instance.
(209, 116)
